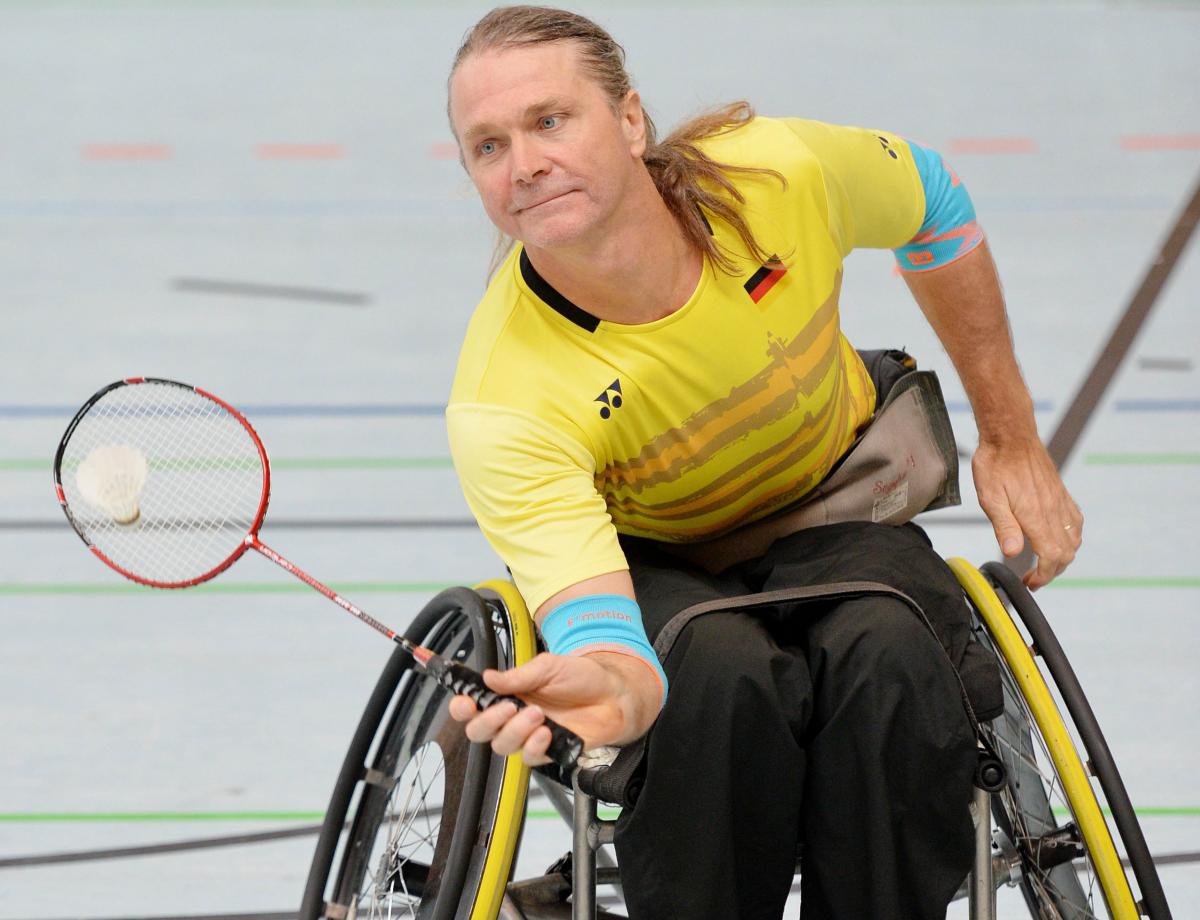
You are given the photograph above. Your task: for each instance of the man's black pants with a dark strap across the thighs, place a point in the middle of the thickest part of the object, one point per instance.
(835, 730)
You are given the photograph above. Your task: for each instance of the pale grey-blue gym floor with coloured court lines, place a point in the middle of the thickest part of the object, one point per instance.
(263, 200)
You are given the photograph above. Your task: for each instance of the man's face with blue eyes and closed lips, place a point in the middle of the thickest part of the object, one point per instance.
(548, 154)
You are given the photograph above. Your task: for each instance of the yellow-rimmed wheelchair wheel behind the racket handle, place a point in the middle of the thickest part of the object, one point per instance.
(435, 817)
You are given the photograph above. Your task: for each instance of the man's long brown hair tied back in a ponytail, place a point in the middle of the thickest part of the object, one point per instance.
(687, 178)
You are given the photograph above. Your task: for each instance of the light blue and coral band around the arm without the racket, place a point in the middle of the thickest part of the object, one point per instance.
(950, 230)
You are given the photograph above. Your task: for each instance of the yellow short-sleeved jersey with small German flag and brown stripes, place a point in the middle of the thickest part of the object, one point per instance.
(567, 430)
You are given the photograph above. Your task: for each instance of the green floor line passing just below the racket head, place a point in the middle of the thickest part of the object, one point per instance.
(352, 588)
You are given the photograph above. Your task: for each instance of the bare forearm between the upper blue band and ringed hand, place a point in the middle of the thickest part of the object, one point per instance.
(964, 304)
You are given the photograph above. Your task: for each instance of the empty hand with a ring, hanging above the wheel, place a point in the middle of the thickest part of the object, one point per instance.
(1024, 497)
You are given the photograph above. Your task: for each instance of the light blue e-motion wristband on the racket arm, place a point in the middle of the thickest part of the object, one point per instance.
(602, 623)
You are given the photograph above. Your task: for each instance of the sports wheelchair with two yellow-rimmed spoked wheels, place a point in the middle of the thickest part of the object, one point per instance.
(424, 825)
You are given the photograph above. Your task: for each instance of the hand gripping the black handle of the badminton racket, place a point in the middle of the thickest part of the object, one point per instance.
(605, 699)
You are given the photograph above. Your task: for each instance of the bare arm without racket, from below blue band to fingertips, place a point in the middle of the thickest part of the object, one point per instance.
(1016, 480)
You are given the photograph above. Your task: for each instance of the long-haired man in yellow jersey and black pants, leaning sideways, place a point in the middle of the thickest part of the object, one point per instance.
(657, 365)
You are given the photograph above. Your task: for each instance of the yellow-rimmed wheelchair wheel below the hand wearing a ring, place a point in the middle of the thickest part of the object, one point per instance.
(1052, 835)
